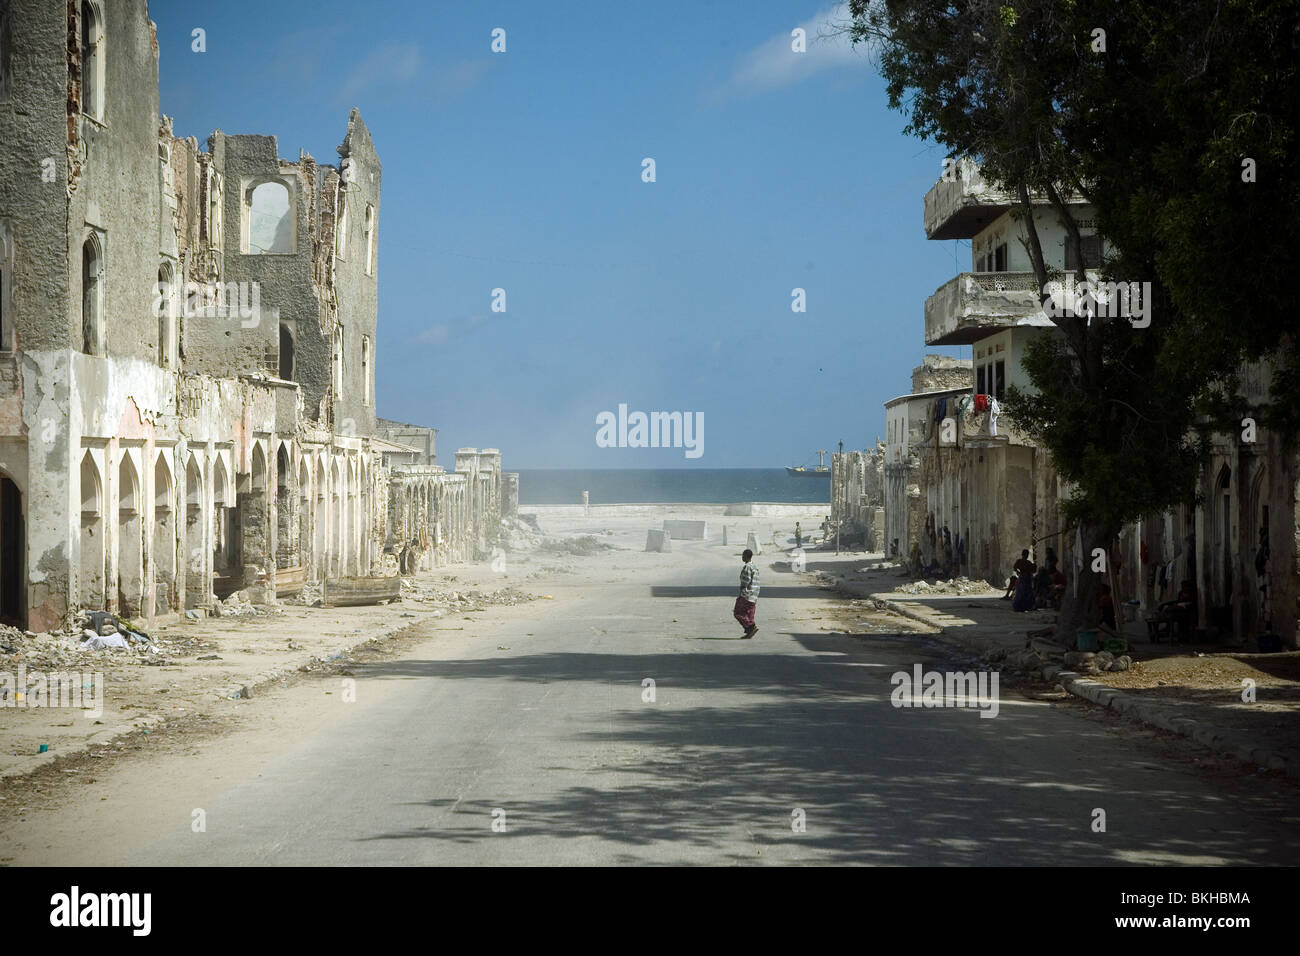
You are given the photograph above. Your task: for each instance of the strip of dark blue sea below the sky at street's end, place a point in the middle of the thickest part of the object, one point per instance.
(669, 486)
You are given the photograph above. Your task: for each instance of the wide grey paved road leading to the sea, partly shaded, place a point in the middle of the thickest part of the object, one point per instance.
(554, 732)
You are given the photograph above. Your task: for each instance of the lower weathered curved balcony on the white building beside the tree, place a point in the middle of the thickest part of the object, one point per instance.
(974, 305)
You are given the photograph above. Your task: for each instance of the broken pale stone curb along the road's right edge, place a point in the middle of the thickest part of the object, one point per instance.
(1128, 704)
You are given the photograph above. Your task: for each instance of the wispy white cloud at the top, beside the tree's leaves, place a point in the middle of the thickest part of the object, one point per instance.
(775, 66)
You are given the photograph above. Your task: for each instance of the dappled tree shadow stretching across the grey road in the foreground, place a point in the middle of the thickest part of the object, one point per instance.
(739, 743)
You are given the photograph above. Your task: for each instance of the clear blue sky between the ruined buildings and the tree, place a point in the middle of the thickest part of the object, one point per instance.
(522, 171)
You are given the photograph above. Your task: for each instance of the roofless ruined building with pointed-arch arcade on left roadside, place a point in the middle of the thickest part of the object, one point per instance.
(188, 349)
